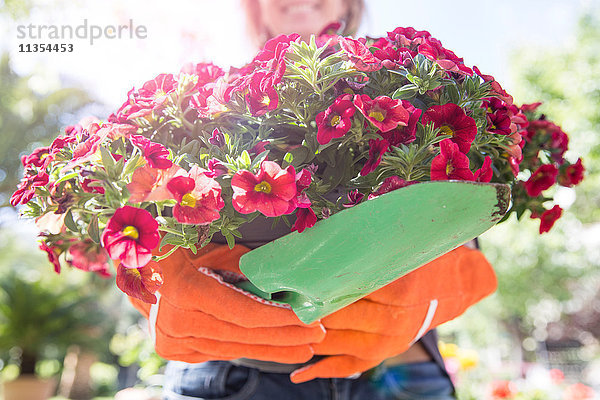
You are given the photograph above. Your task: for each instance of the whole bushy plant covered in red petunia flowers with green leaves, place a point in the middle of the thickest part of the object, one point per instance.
(305, 129)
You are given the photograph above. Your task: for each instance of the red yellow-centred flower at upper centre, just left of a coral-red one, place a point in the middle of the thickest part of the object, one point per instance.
(336, 120)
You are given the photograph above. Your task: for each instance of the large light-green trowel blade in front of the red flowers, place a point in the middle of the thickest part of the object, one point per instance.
(359, 250)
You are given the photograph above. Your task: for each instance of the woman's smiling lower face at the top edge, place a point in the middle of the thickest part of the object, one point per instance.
(305, 17)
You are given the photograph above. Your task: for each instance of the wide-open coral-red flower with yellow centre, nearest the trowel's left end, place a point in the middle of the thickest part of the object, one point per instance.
(270, 192)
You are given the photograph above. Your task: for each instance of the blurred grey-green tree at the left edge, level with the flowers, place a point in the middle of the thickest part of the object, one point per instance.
(28, 119)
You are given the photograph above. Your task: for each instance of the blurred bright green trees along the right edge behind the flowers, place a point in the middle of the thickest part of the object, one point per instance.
(546, 280)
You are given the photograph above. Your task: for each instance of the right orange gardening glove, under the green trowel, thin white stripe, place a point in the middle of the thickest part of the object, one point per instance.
(387, 322)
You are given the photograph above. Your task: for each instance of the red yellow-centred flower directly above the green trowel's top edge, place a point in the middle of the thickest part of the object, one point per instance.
(451, 163)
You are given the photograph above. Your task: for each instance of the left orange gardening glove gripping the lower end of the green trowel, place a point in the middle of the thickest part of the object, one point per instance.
(200, 316)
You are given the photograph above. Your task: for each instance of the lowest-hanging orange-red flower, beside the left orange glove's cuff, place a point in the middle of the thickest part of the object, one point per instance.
(142, 282)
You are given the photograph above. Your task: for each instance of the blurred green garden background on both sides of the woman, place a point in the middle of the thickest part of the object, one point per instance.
(545, 314)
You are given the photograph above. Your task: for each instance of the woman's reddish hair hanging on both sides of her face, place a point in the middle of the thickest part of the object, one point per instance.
(259, 35)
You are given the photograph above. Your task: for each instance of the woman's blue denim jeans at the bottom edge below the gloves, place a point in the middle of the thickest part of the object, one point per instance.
(223, 380)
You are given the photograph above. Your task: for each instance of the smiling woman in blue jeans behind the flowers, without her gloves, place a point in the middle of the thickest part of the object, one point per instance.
(417, 373)
